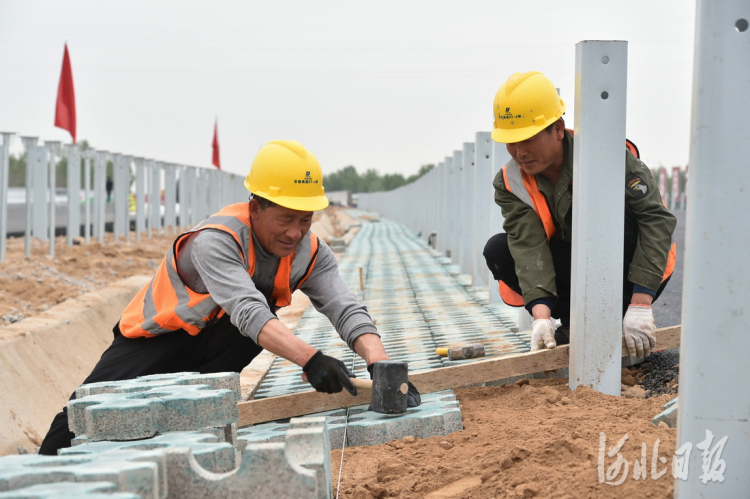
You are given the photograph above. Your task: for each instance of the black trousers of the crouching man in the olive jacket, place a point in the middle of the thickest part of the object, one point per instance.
(503, 267)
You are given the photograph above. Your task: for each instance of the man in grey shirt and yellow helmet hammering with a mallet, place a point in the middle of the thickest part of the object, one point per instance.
(211, 306)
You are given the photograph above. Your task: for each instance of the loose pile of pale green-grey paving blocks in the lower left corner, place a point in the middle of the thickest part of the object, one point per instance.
(171, 436)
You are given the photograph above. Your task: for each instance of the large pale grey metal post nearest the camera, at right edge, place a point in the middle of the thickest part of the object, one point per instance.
(715, 315)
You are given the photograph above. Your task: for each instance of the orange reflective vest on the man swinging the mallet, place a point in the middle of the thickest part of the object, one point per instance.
(166, 304)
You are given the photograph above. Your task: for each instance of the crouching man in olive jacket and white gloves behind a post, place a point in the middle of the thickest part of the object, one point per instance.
(531, 260)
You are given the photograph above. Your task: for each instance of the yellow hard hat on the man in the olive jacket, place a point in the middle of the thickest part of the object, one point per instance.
(525, 105)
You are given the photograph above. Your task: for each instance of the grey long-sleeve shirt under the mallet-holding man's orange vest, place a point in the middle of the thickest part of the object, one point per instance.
(211, 264)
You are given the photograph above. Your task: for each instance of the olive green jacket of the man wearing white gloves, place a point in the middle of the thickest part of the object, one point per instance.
(528, 242)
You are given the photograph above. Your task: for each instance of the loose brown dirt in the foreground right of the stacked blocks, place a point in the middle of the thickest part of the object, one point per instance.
(524, 440)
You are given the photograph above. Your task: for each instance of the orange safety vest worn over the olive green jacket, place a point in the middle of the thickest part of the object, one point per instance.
(525, 188)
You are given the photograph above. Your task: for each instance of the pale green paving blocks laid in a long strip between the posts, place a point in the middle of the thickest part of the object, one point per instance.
(419, 302)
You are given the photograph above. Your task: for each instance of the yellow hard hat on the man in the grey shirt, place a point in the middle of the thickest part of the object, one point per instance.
(286, 173)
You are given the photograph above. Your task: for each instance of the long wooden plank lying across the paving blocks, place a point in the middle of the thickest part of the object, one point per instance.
(428, 381)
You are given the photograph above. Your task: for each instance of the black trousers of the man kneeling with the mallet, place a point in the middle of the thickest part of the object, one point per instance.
(218, 348)
